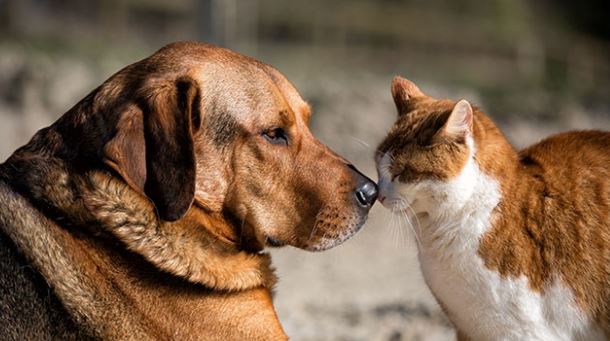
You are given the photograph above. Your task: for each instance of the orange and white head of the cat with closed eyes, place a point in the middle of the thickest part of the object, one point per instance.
(427, 158)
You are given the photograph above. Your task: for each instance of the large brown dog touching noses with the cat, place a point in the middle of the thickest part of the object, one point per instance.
(143, 212)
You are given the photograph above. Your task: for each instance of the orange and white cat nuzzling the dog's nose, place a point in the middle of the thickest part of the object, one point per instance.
(515, 245)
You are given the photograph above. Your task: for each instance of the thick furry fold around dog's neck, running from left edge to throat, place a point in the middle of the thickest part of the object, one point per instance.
(198, 247)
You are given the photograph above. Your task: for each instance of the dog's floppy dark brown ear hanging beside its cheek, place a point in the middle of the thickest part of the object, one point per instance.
(153, 146)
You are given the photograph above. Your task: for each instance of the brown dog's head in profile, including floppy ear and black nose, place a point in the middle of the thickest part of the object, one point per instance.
(199, 125)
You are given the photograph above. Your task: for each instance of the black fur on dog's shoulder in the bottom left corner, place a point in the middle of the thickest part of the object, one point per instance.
(29, 309)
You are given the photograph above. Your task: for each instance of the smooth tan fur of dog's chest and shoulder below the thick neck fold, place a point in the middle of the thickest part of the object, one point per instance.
(114, 294)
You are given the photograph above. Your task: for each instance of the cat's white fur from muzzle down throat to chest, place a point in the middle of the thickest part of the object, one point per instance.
(450, 218)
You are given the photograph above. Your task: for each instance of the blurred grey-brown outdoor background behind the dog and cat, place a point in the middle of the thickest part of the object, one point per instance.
(536, 67)
